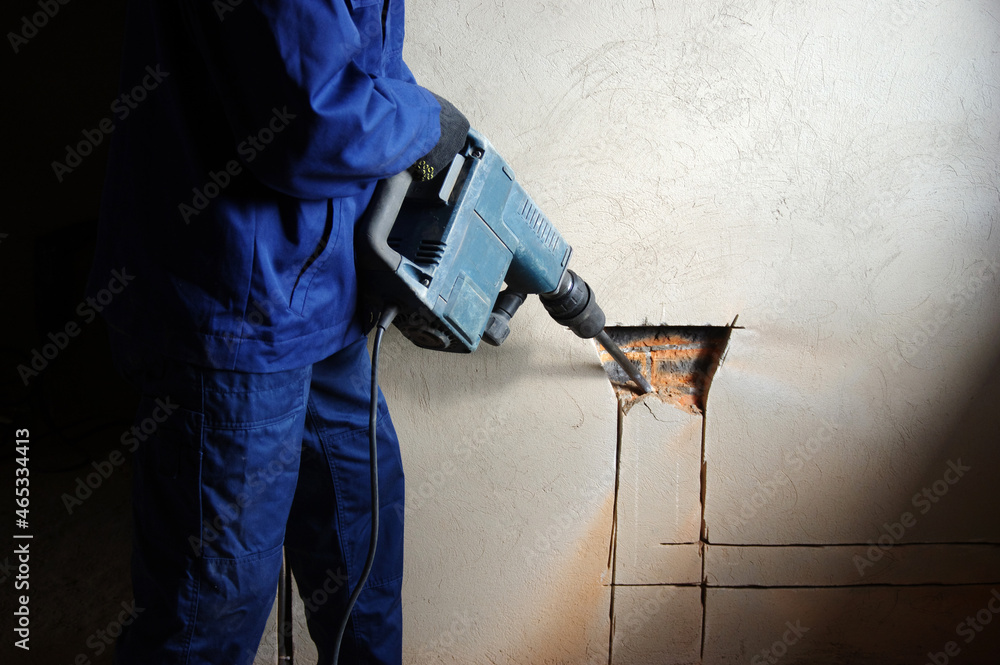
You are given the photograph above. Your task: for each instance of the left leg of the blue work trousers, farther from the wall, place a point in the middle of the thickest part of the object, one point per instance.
(213, 487)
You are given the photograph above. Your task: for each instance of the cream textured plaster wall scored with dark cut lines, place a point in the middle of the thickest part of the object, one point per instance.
(828, 171)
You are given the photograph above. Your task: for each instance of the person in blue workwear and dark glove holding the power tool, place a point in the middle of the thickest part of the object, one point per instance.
(234, 185)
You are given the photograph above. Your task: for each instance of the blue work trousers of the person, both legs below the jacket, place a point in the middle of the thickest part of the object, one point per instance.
(242, 465)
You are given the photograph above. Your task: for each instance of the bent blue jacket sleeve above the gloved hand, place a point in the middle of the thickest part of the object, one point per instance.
(304, 69)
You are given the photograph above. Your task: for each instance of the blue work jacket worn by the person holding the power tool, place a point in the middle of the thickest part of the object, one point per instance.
(248, 138)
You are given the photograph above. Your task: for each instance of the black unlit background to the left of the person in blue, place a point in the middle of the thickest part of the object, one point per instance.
(59, 84)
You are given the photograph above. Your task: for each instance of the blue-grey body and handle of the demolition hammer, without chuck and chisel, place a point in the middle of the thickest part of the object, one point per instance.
(452, 244)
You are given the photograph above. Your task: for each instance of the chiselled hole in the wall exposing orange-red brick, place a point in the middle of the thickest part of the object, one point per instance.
(679, 361)
